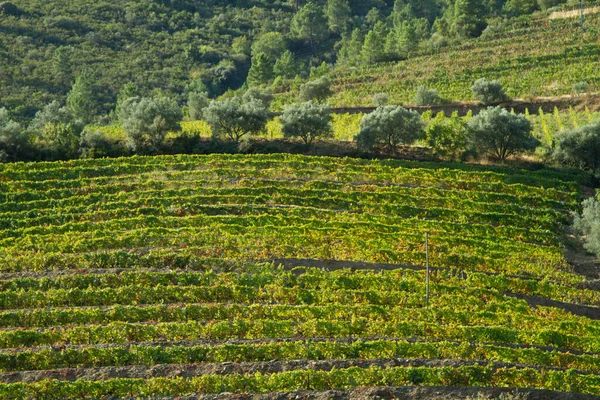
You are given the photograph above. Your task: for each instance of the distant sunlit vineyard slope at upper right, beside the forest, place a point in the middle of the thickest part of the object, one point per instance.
(532, 58)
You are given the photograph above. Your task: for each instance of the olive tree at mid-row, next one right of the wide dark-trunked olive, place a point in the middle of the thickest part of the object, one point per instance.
(308, 121)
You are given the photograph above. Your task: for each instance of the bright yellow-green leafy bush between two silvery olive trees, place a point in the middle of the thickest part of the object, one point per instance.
(447, 136)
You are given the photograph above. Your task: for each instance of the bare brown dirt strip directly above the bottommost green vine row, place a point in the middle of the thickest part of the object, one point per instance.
(228, 368)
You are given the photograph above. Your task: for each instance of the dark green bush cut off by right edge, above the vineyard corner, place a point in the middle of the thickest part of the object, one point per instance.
(579, 147)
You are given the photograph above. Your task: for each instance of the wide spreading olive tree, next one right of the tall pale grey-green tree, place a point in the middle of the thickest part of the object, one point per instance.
(234, 118)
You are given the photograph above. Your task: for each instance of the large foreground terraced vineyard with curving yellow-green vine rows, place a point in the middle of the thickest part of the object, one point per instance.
(167, 276)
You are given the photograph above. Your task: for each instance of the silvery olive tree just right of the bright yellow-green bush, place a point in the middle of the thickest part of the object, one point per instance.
(497, 133)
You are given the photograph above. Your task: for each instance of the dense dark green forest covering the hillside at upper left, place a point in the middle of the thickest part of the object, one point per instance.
(173, 48)
